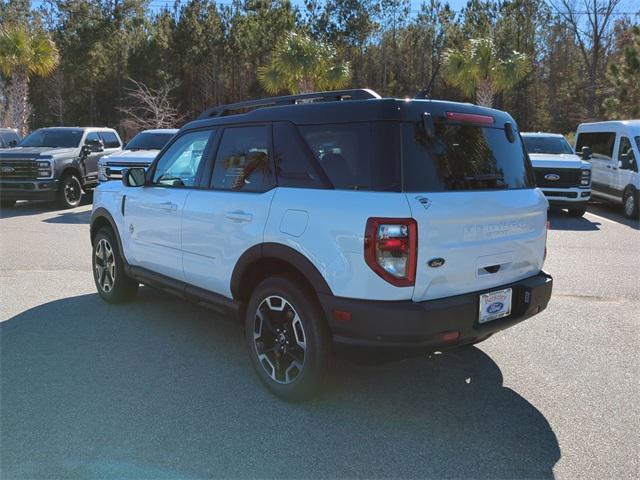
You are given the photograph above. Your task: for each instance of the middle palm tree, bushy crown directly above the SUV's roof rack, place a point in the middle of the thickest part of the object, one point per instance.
(300, 64)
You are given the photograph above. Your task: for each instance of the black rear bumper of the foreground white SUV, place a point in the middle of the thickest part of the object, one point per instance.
(421, 325)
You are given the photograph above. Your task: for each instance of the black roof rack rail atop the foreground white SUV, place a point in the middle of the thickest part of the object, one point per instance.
(332, 96)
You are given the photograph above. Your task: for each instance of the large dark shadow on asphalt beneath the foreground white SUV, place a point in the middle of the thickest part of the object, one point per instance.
(159, 389)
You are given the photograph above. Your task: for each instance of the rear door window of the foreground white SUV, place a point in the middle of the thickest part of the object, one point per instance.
(242, 162)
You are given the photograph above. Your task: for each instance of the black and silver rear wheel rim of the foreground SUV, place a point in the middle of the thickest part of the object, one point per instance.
(279, 339)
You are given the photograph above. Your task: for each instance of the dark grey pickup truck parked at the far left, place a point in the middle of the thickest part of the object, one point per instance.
(57, 163)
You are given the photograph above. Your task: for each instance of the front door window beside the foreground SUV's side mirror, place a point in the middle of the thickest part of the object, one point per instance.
(179, 165)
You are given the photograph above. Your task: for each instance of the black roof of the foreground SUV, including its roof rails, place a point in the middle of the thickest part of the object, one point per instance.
(355, 109)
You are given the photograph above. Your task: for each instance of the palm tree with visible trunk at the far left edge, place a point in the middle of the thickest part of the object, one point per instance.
(24, 54)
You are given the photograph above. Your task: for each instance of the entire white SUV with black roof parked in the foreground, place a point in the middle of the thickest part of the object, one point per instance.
(334, 218)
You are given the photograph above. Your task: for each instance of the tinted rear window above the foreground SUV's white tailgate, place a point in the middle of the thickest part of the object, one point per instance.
(462, 157)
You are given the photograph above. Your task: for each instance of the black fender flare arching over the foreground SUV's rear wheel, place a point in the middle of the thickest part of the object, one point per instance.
(283, 253)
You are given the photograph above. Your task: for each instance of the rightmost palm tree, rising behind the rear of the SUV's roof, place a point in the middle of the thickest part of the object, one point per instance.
(477, 68)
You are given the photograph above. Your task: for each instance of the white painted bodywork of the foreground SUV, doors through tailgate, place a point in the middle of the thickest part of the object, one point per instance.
(470, 230)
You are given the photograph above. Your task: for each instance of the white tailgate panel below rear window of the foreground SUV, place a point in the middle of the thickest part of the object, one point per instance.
(473, 230)
